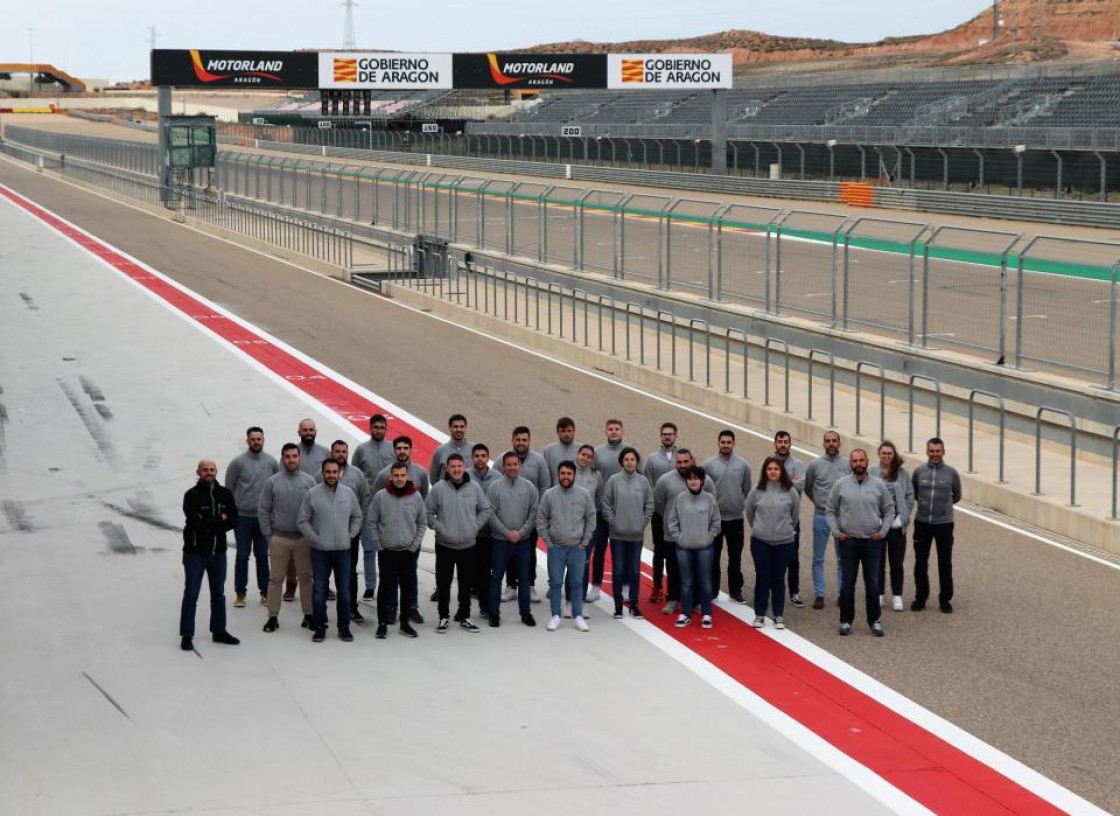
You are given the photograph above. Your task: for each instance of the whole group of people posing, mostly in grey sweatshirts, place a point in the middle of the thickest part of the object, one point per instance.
(309, 517)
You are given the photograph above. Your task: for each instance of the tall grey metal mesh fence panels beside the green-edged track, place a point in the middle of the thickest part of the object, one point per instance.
(926, 287)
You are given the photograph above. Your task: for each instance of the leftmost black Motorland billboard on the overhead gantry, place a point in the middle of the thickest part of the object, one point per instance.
(219, 69)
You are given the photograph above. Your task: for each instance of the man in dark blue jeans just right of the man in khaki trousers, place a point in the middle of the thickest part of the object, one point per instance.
(330, 518)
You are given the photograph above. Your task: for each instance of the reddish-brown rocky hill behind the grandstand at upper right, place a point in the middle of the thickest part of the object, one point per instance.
(1030, 31)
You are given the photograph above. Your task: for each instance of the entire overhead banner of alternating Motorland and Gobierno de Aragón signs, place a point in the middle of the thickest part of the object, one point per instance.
(359, 71)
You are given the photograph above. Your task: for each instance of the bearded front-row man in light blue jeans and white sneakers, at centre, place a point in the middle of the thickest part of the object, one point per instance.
(566, 521)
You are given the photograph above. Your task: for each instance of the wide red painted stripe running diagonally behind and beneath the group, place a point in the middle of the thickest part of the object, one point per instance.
(922, 765)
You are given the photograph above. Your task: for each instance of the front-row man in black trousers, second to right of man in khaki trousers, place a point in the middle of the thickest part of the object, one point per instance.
(396, 523)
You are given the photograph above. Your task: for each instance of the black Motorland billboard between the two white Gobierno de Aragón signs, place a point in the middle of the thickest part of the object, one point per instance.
(530, 71)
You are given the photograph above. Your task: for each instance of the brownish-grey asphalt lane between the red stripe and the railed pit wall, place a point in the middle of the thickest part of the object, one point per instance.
(1025, 664)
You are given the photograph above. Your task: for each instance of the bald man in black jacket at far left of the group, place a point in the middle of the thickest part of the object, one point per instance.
(210, 513)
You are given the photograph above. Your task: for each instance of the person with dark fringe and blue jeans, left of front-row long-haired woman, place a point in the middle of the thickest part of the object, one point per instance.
(694, 524)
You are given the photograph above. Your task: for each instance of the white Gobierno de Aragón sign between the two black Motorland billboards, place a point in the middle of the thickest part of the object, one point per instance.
(363, 70)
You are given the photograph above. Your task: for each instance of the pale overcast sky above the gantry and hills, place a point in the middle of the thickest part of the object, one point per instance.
(111, 41)
